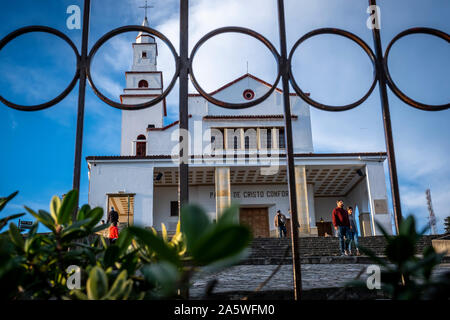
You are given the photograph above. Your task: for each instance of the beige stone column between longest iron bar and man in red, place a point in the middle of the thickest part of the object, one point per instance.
(302, 200)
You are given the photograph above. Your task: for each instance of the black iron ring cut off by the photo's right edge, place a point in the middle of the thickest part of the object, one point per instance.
(391, 82)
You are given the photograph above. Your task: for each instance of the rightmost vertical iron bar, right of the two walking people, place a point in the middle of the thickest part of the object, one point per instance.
(387, 122)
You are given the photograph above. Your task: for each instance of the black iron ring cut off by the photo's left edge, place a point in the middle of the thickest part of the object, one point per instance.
(66, 91)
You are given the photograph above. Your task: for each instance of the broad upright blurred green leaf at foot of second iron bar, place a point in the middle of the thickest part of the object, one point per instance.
(194, 222)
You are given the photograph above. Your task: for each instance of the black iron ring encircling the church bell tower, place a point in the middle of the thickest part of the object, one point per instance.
(121, 30)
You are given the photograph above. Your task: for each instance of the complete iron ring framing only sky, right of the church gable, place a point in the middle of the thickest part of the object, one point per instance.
(347, 35)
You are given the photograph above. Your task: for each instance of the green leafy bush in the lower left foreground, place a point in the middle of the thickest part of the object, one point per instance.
(140, 265)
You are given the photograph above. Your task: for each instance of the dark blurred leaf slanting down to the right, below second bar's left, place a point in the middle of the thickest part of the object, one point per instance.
(156, 244)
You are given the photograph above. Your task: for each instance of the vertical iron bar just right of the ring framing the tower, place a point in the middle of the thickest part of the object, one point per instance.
(183, 183)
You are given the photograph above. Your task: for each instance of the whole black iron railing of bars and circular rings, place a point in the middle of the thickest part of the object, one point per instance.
(183, 63)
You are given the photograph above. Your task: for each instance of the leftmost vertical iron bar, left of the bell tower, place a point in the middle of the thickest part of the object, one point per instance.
(81, 98)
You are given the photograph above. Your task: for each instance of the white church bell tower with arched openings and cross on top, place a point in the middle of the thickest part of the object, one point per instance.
(143, 83)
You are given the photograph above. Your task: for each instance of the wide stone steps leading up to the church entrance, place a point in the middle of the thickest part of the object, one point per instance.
(316, 250)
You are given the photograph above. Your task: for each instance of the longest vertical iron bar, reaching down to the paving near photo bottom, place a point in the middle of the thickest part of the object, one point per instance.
(289, 153)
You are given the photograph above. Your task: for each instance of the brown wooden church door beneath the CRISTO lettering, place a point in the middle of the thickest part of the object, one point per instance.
(257, 219)
